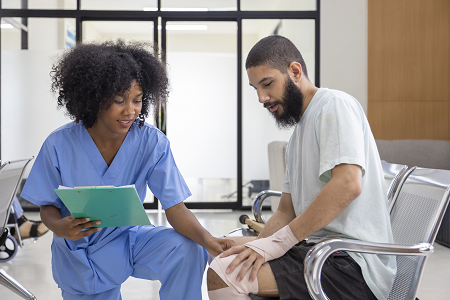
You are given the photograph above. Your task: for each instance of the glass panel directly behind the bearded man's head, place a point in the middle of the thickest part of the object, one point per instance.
(258, 127)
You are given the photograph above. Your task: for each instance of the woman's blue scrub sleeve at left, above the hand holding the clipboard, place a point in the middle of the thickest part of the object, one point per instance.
(44, 178)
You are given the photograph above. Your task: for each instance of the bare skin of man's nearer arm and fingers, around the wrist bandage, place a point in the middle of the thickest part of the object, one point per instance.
(344, 186)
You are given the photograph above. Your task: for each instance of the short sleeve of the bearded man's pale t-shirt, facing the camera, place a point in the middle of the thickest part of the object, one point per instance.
(340, 134)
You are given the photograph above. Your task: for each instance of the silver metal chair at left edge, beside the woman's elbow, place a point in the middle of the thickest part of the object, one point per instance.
(13, 183)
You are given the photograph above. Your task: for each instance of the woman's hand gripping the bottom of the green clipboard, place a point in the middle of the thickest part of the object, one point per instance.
(74, 229)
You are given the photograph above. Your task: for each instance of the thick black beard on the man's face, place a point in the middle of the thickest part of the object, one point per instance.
(292, 104)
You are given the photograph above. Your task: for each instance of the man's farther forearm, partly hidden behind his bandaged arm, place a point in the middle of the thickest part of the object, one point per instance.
(283, 216)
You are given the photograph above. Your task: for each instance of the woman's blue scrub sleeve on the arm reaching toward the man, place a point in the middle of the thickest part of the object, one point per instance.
(165, 180)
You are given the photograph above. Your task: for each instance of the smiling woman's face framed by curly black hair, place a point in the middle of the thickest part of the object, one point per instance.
(117, 119)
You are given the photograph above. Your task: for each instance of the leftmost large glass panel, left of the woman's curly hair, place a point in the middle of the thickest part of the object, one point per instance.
(29, 111)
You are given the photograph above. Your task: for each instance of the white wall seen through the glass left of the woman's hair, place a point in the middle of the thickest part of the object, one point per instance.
(29, 110)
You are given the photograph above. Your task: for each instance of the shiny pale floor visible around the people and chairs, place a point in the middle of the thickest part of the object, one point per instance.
(31, 266)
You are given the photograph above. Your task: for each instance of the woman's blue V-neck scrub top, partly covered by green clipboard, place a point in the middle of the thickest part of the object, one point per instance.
(69, 157)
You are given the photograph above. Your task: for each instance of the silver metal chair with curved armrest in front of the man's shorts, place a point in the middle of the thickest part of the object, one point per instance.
(434, 182)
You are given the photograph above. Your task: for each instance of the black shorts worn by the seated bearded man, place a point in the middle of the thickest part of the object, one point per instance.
(341, 276)
